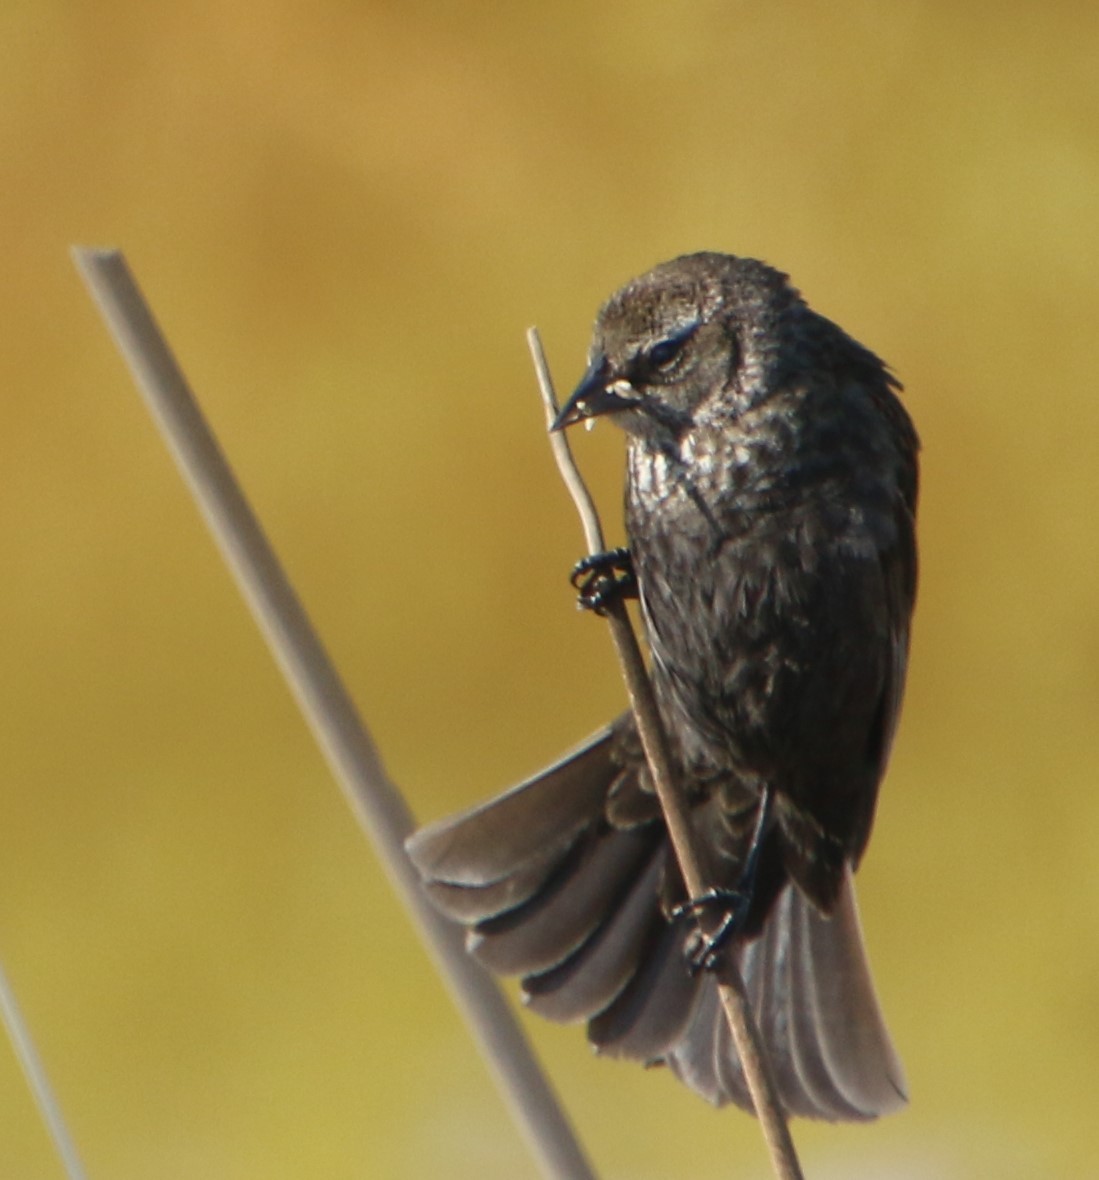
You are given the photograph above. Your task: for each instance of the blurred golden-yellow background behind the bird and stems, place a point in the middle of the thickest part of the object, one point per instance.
(345, 215)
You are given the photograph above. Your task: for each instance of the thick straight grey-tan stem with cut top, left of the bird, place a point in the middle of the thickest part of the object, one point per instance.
(325, 703)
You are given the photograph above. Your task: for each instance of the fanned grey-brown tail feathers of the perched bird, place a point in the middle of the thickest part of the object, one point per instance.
(559, 888)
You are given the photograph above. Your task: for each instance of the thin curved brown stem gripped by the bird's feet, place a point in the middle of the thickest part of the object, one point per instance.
(689, 850)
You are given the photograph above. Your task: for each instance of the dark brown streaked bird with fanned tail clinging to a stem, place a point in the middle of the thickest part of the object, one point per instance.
(771, 496)
